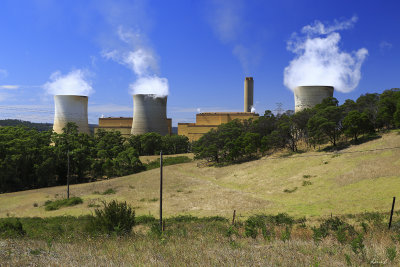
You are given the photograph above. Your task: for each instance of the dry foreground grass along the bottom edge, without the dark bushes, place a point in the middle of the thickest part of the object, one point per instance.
(211, 241)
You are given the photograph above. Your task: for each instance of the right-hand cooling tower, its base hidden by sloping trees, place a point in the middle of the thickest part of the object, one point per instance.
(309, 96)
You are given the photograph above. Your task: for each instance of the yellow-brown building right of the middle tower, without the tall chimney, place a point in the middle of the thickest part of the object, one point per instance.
(210, 120)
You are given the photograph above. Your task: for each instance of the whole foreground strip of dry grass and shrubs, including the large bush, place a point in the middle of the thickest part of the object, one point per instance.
(115, 236)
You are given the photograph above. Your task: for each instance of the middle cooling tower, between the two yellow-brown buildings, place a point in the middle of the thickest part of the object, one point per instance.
(149, 114)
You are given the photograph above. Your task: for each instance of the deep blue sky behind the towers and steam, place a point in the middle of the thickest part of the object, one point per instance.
(204, 49)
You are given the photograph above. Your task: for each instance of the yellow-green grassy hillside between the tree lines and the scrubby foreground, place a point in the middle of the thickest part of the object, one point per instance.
(316, 183)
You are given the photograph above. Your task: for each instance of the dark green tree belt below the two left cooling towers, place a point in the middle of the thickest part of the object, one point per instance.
(33, 159)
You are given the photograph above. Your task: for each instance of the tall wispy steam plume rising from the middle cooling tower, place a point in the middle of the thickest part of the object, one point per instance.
(142, 61)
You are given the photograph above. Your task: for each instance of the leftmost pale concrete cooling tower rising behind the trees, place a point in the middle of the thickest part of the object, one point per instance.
(71, 108)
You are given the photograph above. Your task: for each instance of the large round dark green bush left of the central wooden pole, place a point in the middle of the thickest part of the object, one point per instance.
(116, 217)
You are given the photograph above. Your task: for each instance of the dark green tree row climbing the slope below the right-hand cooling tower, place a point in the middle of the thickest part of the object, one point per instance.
(326, 122)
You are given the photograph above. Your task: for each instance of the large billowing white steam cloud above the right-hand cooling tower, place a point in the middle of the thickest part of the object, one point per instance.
(319, 61)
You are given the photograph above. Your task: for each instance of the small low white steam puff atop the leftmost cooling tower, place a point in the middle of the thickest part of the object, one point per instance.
(73, 83)
